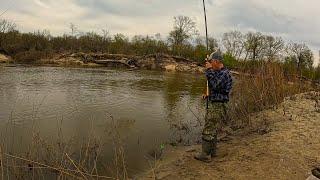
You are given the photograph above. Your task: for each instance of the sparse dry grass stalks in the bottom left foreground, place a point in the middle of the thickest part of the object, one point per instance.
(61, 159)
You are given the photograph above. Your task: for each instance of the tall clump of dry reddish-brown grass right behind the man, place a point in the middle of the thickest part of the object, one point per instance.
(264, 88)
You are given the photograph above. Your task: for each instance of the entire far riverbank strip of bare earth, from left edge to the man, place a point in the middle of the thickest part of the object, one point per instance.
(148, 62)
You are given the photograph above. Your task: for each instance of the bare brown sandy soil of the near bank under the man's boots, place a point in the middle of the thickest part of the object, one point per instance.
(284, 144)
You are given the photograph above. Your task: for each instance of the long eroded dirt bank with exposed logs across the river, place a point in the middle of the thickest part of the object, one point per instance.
(153, 61)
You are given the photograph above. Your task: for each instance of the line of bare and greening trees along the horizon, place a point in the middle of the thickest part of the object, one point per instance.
(183, 40)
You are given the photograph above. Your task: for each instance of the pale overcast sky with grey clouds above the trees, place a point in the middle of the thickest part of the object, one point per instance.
(294, 20)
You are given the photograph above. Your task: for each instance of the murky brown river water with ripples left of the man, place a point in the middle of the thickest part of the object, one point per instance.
(151, 108)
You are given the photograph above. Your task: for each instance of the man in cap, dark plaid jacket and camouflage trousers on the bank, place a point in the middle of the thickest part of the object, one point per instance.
(220, 84)
